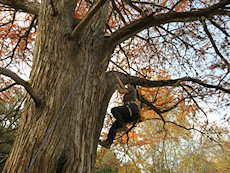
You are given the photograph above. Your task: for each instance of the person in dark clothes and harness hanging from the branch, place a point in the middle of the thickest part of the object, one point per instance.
(127, 113)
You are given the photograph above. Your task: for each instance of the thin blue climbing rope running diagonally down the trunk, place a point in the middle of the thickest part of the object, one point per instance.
(98, 44)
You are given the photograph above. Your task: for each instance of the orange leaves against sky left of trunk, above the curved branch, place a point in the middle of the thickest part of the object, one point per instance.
(16, 37)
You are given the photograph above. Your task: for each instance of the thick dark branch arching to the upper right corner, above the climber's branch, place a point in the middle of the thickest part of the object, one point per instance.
(151, 20)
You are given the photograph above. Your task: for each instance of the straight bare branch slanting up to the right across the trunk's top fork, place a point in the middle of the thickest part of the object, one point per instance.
(87, 18)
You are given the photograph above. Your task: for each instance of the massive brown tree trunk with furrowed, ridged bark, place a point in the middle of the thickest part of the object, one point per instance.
(58, 62)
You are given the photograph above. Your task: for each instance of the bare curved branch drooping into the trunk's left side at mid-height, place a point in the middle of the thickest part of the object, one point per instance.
(22, 82)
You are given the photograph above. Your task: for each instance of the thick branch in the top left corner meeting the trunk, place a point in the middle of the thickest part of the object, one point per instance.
(22, 5)
